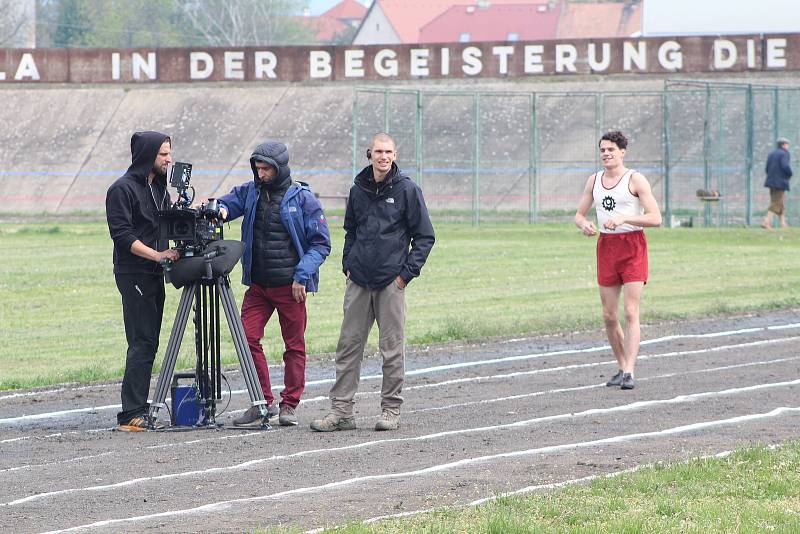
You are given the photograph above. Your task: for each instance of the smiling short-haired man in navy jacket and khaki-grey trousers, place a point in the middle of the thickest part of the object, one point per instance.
(388, 236)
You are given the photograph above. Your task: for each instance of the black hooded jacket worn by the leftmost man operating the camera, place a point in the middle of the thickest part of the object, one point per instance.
(132, 206)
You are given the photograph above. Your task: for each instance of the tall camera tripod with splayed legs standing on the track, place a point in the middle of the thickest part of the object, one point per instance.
(206, 292)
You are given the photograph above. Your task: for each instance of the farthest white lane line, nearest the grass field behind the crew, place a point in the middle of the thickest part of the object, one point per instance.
(723, 333)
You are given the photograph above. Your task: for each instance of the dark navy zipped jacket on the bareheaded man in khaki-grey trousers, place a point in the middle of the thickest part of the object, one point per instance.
(387, 229)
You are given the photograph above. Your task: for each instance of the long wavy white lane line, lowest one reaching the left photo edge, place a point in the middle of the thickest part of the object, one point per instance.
(492, 428)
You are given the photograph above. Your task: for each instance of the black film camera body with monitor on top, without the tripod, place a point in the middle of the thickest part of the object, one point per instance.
(192, 229)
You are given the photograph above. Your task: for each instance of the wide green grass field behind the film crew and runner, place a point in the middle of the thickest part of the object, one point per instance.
(61, 317)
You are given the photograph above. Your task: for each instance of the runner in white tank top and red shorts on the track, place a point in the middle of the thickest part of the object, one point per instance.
(624, 204)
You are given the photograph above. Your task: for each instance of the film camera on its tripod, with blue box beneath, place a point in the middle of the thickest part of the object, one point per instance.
(206, 260)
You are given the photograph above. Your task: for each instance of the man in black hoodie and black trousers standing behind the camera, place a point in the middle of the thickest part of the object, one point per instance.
(132, 204)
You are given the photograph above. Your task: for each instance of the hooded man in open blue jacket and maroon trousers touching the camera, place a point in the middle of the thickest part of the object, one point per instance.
(286, 240)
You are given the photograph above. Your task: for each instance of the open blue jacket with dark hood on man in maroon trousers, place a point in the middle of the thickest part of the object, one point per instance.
(301, 214)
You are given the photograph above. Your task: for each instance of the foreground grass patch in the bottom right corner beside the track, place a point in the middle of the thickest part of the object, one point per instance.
(753, 490)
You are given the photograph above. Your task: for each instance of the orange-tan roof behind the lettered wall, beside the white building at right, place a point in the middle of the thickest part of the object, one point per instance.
(583, 20)
